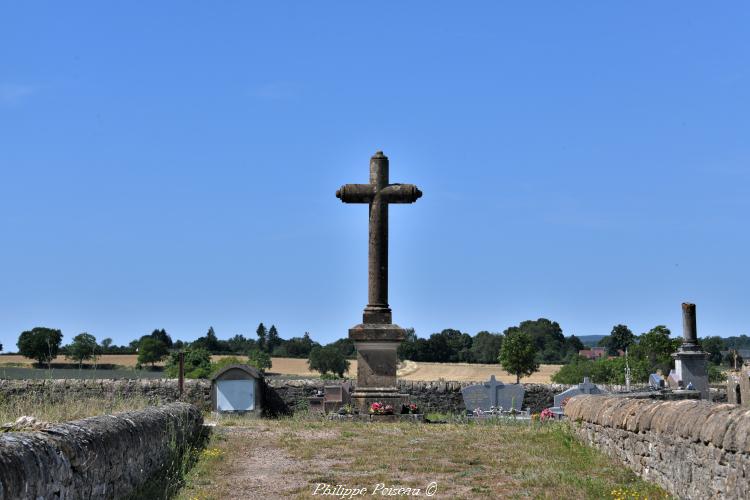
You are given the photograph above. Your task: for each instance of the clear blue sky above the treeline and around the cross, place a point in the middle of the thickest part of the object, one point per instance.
(173, 165)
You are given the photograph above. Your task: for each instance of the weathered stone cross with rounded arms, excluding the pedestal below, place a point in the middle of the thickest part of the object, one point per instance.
(378, 193)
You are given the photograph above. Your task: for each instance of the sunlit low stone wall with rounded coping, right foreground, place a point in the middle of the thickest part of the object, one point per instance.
(693, 449)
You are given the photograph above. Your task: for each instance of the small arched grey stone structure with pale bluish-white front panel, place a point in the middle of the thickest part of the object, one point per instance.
(237, 389)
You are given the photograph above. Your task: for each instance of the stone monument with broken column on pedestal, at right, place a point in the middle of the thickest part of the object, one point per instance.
(690, 361)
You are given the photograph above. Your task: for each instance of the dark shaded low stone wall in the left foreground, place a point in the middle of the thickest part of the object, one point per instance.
(112, 456)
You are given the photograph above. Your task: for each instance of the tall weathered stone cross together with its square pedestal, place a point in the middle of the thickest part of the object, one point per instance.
(377, 338)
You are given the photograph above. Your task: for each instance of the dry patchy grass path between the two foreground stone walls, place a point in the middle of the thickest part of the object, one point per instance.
(290, 457)
